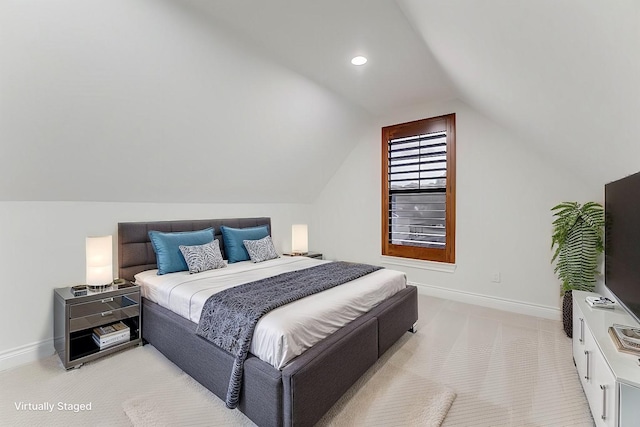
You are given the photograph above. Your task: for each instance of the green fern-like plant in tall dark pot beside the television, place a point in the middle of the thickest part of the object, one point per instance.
(578, 238)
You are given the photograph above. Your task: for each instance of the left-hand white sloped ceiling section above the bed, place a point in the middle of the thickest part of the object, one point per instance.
(152, 101)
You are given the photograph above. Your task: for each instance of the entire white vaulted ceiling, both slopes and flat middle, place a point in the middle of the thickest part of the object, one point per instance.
(236, 100)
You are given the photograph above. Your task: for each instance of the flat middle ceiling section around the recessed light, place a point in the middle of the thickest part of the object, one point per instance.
(318, 39)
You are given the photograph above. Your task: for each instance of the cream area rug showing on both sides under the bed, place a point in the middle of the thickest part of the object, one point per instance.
(385, 395)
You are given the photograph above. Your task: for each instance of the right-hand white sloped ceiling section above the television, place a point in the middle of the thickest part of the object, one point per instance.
(565, 75)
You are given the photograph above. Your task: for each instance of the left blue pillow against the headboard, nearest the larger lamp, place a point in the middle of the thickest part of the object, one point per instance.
(167, 247)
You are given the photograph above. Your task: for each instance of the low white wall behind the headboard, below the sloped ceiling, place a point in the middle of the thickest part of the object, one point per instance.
(43, 248)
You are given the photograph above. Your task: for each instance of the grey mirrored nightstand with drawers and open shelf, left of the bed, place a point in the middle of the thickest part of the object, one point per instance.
(75, 318)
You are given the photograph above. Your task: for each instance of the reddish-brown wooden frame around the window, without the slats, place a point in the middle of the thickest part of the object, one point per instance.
(419, 127)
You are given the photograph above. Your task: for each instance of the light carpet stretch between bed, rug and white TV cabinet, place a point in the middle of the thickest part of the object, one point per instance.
(507, 369)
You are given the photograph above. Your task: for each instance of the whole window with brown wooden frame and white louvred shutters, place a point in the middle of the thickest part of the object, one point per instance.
(418, 189)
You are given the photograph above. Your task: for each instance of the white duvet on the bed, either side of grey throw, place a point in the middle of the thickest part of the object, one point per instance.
(285, 332)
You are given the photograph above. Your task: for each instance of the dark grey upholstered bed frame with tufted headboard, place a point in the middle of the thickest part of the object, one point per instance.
(304, 390)
